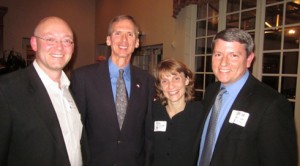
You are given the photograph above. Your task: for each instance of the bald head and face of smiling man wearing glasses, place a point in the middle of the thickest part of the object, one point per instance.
(51, 45)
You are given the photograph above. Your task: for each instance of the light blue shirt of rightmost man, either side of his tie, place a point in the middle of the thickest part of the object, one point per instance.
(228, 98)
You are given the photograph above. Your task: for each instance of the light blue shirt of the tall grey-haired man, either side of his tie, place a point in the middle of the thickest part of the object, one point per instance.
(114, 74)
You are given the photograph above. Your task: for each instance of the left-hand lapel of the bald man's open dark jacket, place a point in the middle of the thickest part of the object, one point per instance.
(42, 104)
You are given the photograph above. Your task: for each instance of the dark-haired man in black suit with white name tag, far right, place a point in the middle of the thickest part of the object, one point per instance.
(255, 125)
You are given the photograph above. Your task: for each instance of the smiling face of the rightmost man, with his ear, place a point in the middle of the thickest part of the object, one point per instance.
(230, 61)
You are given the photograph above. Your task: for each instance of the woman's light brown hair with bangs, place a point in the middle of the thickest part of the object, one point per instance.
(172, 66)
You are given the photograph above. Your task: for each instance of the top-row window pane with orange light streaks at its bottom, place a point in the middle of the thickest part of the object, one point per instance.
(273, 17)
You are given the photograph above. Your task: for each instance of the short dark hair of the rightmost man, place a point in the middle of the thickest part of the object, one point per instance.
(236, 35)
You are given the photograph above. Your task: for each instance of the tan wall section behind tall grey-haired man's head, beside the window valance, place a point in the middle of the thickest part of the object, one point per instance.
(154, 18)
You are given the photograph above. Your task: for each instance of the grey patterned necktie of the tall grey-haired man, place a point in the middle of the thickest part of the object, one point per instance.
(121, 98)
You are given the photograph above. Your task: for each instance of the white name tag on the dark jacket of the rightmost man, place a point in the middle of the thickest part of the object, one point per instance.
(239, 117)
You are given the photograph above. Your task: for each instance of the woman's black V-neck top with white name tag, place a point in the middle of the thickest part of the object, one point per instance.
(175, 139)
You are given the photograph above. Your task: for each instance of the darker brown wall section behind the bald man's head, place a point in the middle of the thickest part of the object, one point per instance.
(23, 16)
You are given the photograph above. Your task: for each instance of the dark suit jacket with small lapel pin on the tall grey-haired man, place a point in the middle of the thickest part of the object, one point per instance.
(91, 86)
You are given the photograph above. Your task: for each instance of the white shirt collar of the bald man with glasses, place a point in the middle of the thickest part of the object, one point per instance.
(47, 81)
